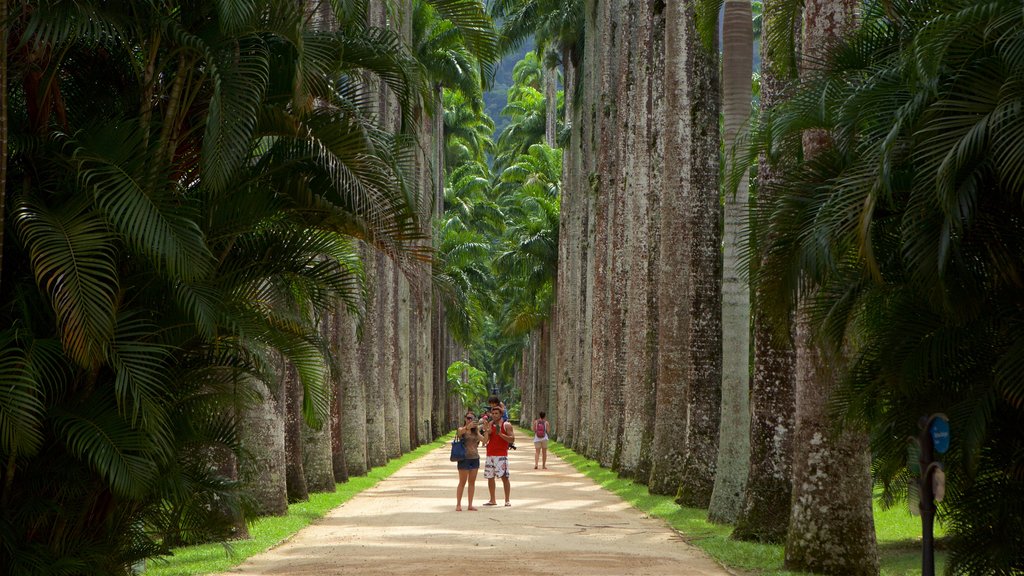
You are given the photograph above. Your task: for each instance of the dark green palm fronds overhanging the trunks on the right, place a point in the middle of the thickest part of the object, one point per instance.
(906, 235)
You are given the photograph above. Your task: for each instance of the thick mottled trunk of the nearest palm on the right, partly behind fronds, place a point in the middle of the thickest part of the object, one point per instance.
(831, 525)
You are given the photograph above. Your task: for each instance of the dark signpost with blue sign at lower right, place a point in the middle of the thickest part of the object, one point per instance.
(934, 438)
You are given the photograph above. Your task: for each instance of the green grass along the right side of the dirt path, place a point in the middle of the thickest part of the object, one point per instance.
(899, 532)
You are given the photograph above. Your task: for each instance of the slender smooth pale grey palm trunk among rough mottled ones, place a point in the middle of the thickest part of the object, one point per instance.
(734, 448)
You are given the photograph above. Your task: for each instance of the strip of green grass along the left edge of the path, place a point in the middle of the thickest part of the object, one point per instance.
(271, 531)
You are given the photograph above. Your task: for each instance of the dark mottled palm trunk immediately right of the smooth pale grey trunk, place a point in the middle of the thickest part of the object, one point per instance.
(766, 513)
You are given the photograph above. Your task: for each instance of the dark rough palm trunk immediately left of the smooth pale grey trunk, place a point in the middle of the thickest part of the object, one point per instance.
(701, 242)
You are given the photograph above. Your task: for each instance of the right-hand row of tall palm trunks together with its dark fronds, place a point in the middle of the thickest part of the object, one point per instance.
(861, 311)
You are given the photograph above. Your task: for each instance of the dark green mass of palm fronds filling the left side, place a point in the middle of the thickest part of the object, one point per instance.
(187, 183)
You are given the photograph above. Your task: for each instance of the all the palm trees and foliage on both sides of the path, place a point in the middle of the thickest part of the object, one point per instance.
(195, 192)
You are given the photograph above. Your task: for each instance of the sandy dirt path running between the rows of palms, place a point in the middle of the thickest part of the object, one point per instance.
(561, 523)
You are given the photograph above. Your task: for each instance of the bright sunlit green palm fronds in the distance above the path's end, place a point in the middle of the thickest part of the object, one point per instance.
(498, 238)
